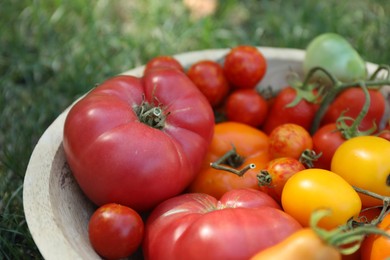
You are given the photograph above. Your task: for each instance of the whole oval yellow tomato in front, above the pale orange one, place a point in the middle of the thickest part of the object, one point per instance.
(313, 189)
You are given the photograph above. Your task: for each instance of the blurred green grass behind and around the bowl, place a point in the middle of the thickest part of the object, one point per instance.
(51, 52)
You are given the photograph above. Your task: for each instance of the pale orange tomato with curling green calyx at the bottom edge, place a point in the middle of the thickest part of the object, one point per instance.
(315, 243)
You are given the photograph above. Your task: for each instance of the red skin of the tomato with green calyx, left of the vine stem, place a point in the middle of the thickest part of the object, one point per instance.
(301, 114)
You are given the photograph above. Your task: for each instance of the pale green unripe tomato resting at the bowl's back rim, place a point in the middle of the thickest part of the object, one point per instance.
(336, 55)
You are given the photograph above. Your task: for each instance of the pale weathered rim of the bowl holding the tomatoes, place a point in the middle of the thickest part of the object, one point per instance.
(38, 210)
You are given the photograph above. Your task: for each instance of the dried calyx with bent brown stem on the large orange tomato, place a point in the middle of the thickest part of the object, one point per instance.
(230, 161)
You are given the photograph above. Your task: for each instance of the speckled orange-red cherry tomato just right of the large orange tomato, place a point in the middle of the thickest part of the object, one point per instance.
(289, 140)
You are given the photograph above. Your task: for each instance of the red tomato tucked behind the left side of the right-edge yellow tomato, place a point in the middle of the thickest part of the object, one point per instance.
(326, 140)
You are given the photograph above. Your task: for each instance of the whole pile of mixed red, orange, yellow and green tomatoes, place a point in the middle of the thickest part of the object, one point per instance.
(199, 163)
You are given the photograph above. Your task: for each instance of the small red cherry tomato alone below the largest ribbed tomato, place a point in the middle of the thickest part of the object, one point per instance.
(115, 231)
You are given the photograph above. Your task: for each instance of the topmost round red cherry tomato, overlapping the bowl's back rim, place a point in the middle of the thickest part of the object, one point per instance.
(244, 66)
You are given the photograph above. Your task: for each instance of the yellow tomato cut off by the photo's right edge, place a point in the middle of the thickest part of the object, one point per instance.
(364, 162)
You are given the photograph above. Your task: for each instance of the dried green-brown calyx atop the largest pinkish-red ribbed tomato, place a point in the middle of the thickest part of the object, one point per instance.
(151, 115)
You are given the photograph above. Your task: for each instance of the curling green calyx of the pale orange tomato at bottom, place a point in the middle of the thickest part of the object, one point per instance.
(346, 239)
